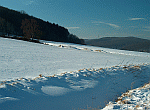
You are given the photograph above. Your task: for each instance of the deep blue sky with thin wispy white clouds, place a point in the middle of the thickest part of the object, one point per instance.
(91, 18)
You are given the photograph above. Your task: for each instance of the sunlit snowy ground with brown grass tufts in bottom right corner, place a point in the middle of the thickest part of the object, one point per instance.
(136, 99)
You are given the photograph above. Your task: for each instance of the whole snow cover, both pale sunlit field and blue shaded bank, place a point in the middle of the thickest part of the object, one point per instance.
(63, 76)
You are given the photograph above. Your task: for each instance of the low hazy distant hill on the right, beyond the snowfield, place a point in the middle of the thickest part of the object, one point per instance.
(123, 43)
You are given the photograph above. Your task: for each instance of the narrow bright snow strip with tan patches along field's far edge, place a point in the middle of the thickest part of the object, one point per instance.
(93, 49)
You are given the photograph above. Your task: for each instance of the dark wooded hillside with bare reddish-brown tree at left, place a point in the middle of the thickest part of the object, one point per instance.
(19, 23)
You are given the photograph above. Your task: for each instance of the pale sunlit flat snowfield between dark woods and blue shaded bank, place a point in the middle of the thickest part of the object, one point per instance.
(24, 59)
